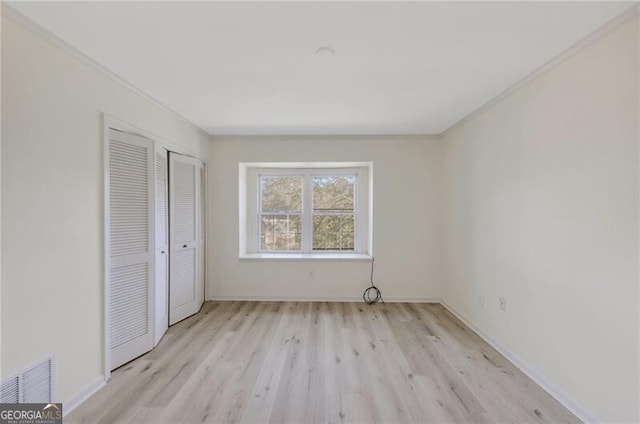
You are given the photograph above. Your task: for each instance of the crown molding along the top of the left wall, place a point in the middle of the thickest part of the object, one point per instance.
(35, 28)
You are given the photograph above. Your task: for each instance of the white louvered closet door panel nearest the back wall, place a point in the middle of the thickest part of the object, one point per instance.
(186, 290)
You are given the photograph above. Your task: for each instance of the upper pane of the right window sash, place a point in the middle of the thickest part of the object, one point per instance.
(334, 192)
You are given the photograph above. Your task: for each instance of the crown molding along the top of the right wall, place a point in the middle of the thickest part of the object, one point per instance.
(576, 48)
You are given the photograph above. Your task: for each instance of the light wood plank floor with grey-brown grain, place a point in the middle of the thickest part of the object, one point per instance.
(296, 362)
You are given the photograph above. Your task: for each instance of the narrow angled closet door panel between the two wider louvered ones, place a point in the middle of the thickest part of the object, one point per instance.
(162, 244)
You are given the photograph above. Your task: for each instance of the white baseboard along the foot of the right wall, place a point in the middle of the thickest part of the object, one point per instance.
(555, 392)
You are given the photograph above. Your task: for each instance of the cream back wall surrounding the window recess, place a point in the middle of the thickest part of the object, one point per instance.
(407, 239)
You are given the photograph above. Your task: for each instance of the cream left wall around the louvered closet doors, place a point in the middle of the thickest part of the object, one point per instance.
(52, 210)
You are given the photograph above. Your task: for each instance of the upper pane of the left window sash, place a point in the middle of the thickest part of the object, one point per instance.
(281, 194)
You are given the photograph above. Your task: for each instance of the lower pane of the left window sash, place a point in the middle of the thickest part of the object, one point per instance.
(280, 232)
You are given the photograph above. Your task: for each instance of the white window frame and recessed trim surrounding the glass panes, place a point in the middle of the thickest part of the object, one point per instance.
(249, 208)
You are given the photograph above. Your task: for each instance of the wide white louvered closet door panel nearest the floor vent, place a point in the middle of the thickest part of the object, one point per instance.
(131, 246)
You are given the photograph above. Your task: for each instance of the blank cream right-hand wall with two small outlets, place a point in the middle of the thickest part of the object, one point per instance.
(542, 209)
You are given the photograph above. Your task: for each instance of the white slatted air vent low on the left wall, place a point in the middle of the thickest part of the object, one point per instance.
(33, 385)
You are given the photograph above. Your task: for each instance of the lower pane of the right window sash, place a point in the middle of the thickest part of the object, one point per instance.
(333, 232)
